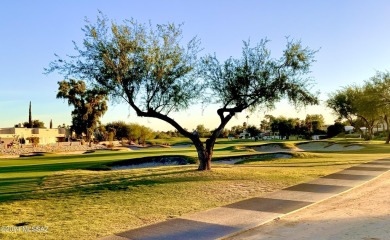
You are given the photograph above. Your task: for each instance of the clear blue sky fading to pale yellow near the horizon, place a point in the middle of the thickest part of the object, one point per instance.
(352, 35)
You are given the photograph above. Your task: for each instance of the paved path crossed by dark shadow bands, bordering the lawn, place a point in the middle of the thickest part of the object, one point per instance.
(234, 218)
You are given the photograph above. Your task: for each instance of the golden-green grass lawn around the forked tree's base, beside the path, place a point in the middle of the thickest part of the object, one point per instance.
(59, 192)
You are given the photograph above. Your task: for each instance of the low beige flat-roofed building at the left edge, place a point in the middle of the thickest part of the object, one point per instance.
(46, 136)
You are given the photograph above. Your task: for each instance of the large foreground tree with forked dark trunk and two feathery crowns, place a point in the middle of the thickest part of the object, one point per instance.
(155, 74)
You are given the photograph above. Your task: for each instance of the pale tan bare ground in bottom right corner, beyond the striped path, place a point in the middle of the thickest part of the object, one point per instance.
(363, 213)
